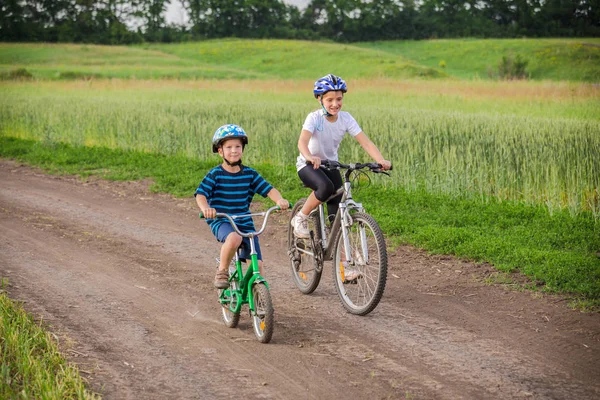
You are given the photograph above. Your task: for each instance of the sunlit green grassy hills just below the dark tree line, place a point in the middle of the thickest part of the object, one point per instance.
(549, 59)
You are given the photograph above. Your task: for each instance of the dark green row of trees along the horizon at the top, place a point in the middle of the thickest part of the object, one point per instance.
(136, 21)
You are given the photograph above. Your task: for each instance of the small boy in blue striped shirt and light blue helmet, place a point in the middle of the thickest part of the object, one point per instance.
(229, 188)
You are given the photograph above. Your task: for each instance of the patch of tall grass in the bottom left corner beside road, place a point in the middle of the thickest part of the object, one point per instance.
(31, 366)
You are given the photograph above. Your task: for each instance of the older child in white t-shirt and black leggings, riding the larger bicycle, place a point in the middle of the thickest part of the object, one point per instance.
(321, 135)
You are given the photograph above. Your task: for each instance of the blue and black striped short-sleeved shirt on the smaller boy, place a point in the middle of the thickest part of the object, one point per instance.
(232, 193)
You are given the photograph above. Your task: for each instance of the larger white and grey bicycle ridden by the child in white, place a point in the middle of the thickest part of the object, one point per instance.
(353, 241)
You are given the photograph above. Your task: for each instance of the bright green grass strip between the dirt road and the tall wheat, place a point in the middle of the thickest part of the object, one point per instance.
(560, 253)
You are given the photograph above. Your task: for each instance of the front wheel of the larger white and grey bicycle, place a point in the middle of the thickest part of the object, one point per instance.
(360, 281)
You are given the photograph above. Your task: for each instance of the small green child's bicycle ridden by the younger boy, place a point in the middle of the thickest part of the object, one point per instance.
(248, 288)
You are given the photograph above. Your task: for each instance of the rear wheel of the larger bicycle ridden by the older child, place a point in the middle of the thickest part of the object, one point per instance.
(306, 272)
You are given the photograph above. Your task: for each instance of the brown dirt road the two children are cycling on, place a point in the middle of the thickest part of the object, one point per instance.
(124, 278)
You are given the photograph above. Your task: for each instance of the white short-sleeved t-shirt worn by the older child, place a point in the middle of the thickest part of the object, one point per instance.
(327, 136)
